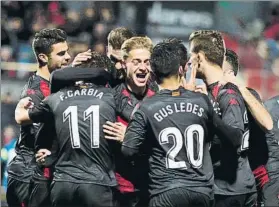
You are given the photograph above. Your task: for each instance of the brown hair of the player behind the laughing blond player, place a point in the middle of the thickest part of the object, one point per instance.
(118, 36)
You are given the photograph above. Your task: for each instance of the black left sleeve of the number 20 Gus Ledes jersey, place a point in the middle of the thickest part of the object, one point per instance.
(135, 134)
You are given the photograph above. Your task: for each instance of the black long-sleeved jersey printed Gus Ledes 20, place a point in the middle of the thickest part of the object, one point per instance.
(173, 129)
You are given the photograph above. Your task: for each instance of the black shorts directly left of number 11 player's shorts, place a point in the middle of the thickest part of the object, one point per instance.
(39, 192)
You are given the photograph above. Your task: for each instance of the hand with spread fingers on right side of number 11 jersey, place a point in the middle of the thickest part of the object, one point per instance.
(115, 131)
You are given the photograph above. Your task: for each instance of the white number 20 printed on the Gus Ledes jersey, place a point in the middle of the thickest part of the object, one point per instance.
(178, 139)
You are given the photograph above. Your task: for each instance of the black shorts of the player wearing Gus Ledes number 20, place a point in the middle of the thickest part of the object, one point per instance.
(180, 197)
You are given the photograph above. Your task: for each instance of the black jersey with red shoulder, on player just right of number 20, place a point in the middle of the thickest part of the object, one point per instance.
(232, 172)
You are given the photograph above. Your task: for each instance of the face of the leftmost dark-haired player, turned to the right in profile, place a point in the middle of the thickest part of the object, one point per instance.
(59, 57)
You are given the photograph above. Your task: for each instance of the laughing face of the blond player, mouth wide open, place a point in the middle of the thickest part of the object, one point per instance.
(138, 66)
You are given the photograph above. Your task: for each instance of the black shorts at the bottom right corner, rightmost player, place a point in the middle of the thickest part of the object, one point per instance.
(270, 193)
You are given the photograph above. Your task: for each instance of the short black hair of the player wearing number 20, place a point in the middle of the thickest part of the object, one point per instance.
(165, 60)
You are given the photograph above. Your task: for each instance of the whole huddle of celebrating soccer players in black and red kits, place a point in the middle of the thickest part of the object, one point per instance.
(127, 129)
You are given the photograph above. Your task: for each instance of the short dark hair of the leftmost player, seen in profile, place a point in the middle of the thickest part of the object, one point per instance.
(44, 39)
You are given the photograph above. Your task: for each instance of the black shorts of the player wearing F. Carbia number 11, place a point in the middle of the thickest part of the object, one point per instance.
(67, 194)
